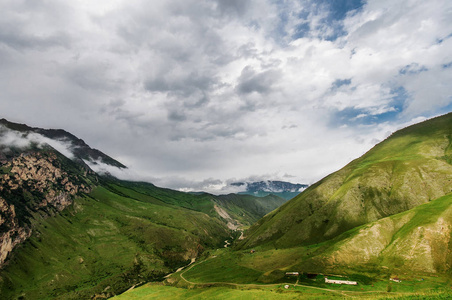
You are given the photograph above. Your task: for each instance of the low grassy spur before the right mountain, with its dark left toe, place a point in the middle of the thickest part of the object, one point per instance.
(418, 240)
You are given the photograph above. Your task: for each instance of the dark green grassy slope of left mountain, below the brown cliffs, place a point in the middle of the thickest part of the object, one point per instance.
(107, 239)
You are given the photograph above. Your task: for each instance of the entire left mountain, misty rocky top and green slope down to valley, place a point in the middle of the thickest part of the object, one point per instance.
(69, 233)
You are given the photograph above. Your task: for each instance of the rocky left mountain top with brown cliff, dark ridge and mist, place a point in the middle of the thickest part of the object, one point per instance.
(38, 181)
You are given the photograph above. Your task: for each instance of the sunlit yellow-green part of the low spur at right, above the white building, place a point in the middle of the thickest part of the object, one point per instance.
(418, 241)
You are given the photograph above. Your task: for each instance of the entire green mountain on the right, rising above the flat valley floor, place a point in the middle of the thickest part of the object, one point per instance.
(387, 212)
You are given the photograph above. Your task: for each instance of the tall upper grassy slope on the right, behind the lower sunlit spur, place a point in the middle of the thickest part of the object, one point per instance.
(408, 169)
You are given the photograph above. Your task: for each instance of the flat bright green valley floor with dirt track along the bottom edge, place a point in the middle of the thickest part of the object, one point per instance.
(185, 287)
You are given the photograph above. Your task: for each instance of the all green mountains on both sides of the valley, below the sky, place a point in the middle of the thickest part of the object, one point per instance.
(69, 233)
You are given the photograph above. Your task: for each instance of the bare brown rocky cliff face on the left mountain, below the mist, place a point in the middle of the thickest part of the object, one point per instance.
(33, 183)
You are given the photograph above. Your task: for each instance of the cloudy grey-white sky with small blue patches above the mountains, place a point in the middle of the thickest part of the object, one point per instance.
(193, 93)
